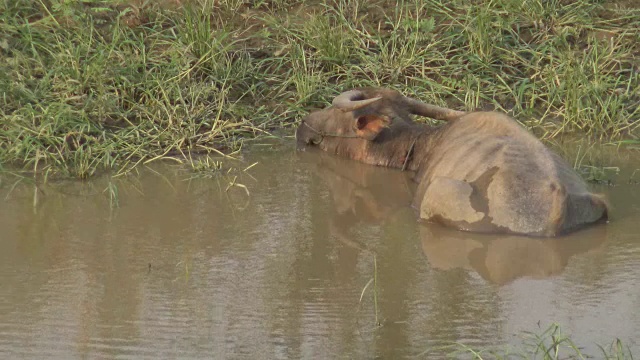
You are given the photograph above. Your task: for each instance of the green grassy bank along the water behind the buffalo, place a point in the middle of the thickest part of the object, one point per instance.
(97, 85)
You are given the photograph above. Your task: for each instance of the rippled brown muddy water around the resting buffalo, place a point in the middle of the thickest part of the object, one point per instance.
(186, 268)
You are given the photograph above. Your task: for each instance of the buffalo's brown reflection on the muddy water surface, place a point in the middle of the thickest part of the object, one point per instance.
(368, 194)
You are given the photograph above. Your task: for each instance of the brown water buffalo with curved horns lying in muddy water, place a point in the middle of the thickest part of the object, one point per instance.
(480, 172)
